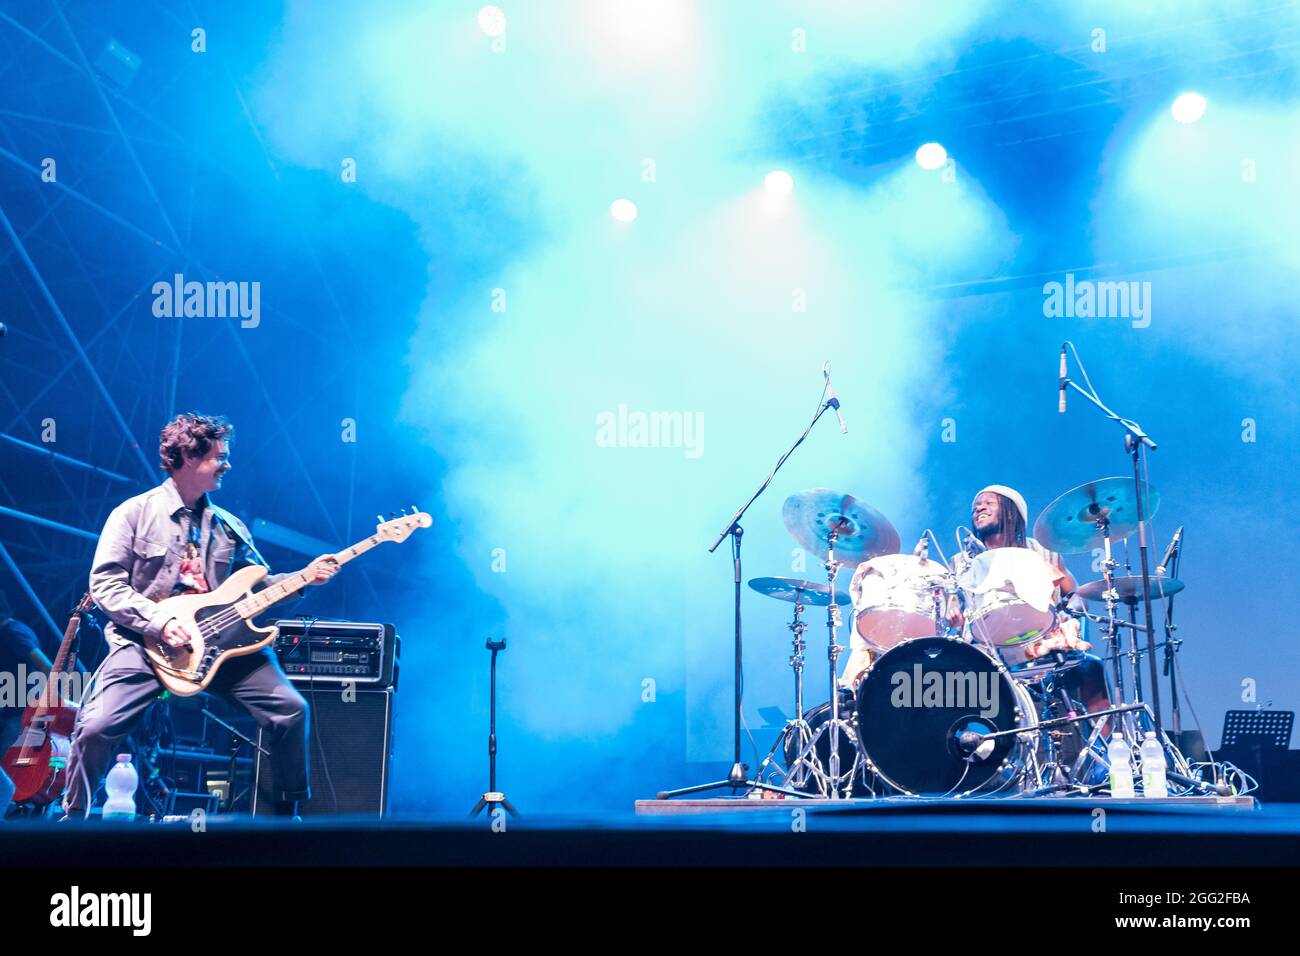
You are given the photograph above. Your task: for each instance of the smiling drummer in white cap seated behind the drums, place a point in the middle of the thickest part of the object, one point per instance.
(1000, 518)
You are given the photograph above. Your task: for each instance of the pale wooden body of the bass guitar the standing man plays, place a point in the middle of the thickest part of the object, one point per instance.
(187, 672)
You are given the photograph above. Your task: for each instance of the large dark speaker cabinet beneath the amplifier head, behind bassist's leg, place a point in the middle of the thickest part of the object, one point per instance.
(350, 746)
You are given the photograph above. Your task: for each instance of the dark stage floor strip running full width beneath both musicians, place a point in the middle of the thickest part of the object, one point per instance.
(954, 833)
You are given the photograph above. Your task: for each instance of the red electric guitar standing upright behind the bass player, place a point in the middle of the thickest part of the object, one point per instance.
(38, 760)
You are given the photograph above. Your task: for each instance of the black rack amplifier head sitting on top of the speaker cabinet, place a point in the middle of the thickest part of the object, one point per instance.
(339, 652)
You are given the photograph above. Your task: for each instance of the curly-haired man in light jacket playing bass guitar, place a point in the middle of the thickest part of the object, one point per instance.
(174, 540)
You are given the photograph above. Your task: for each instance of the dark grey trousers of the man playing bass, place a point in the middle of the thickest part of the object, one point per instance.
(125, 686)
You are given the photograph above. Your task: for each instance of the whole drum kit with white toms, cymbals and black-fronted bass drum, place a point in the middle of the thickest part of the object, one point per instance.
(959, 698)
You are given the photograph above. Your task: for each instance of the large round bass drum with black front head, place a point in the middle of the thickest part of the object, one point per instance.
(918, 700)
